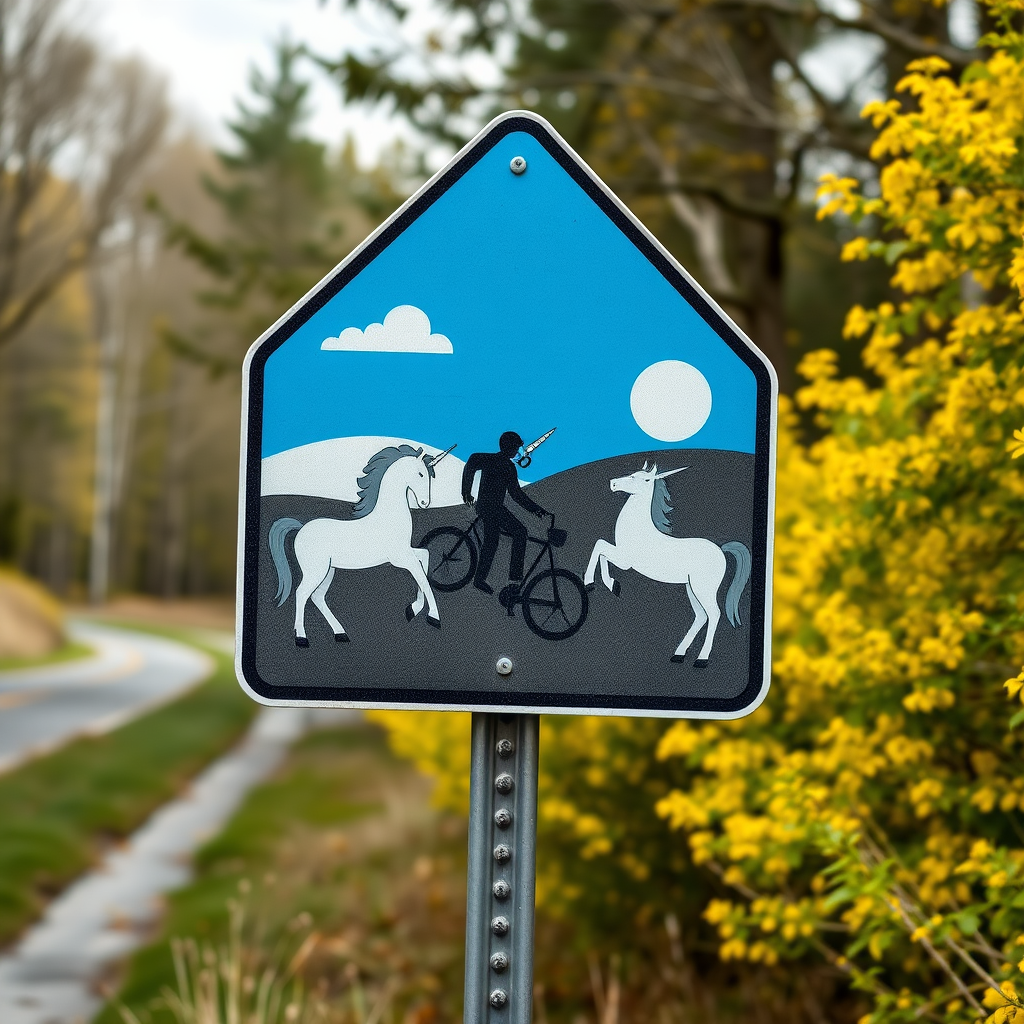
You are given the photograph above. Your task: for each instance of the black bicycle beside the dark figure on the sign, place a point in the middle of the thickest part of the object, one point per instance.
(554, 601)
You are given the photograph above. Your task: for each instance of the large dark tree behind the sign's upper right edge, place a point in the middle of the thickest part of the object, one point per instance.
(703, 116)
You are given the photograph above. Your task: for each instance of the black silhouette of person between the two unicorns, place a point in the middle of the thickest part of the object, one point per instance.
(499, 481)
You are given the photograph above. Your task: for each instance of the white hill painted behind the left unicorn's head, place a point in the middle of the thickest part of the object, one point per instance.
(331, 468)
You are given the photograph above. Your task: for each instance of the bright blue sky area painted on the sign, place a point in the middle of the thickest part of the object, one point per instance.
(552, 314)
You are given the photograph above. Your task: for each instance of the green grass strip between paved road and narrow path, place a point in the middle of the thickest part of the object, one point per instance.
(59, 815)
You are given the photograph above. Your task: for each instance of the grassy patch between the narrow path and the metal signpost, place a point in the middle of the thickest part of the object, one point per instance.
(340, 856)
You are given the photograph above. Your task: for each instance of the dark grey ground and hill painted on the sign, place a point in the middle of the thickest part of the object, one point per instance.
(624, 647)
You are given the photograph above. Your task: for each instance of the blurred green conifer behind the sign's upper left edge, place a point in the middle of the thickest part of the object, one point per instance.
(285, 205)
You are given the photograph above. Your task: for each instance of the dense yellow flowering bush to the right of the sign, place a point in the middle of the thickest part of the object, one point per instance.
(870, 818)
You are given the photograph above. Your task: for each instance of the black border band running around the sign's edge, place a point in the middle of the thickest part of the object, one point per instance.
(470, 700)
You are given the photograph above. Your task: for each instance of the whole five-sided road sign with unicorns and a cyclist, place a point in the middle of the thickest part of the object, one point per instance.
(414, 534)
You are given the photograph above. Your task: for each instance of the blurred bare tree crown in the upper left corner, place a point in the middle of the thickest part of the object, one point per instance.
(62, 107)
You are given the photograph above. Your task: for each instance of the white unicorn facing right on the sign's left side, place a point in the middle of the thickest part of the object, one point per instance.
(380, 532)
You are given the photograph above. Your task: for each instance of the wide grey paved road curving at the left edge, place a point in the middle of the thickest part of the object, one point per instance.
(41, 709)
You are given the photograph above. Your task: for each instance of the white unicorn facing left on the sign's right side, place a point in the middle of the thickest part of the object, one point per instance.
(644, 543)
